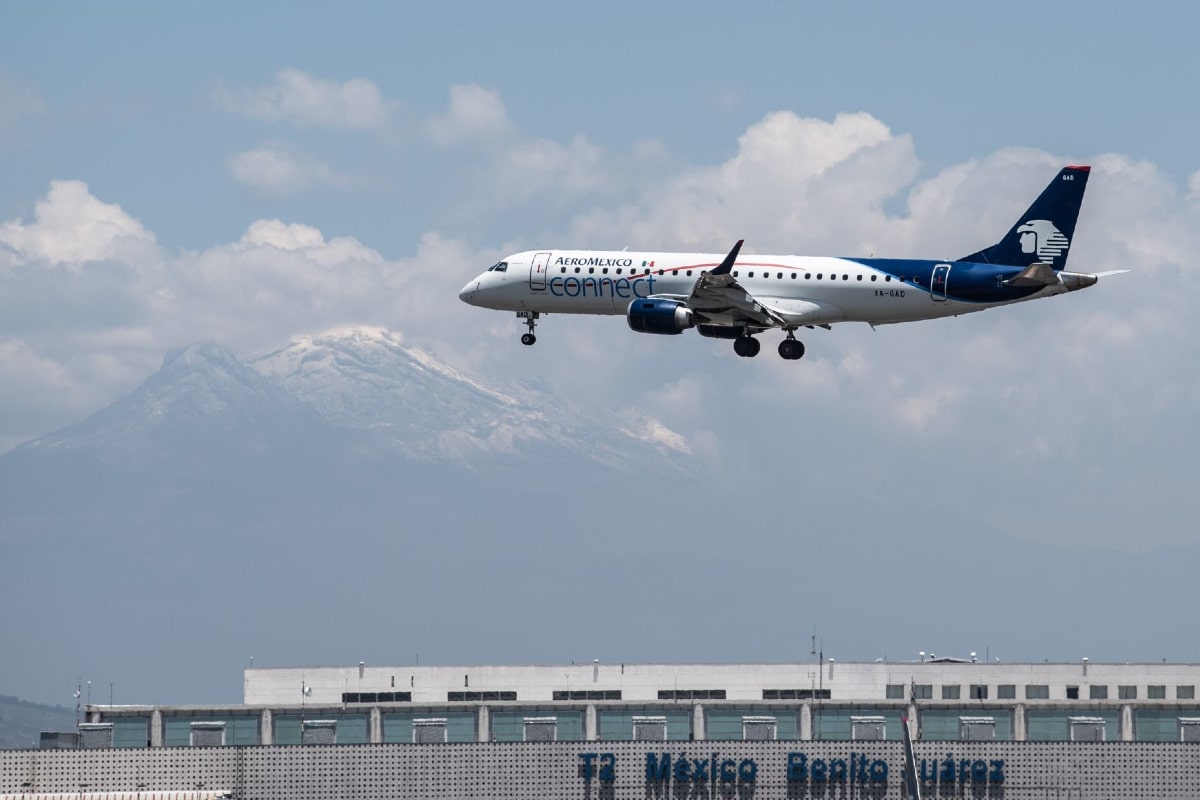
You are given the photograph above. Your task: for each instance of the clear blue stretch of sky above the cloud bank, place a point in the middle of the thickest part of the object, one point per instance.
(128, 92)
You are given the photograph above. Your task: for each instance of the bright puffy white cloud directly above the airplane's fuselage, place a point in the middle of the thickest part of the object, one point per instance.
(788, 172)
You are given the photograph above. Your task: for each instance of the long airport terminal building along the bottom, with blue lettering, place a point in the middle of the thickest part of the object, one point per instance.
(597, 730)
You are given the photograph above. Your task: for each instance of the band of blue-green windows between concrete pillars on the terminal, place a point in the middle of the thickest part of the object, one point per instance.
(1148, 721)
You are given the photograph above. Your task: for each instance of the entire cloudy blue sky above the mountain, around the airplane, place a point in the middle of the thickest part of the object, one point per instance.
(245, 173)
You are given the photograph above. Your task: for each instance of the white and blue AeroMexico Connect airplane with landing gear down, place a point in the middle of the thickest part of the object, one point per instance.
(737, 298)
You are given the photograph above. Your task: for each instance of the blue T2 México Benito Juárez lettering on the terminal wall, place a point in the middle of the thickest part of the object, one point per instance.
(799, 768)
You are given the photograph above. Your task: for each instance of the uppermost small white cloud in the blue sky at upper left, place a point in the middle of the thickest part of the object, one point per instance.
(303, 100)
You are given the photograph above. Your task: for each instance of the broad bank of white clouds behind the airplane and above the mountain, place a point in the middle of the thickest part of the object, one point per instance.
(1079, 388)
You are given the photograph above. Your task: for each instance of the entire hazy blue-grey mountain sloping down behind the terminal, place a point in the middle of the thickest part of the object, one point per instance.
(346, 497)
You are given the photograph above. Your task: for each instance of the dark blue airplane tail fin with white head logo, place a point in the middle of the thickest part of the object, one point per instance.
(1045, 232)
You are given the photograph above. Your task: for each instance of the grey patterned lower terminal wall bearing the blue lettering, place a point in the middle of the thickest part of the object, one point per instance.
(560, 771)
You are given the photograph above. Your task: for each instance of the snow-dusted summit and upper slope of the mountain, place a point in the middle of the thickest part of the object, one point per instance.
(367, 380)
